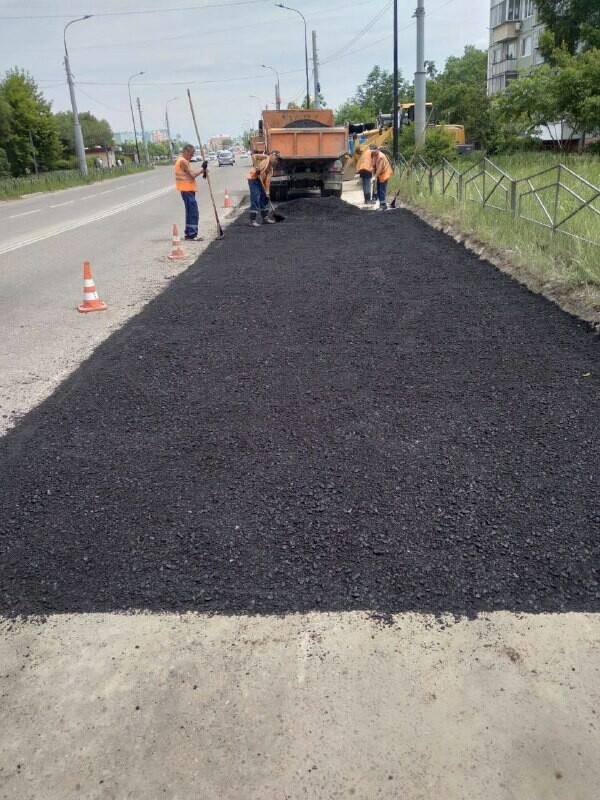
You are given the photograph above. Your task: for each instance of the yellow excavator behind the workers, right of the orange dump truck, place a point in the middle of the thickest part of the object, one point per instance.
(382, 135)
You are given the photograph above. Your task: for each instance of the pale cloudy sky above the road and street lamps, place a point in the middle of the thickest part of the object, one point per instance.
(216, 50)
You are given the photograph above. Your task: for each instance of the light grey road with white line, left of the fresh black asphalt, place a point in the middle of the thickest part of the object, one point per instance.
(123, 228)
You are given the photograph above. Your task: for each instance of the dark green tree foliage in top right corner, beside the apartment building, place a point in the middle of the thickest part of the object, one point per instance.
(574, 23)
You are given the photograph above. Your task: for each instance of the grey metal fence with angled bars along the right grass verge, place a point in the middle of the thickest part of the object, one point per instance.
(556, 198)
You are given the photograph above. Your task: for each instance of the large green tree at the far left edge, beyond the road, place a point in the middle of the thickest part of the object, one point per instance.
(29, 115)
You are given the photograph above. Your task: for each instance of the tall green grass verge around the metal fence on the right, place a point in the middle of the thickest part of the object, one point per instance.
(566, 266)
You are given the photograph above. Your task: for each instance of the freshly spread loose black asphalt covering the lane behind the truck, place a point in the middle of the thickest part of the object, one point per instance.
(347, 410)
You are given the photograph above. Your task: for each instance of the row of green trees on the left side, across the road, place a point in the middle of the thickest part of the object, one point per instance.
(32, 137)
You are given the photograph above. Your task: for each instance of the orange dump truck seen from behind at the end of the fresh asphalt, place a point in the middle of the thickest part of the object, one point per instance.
(312, 150)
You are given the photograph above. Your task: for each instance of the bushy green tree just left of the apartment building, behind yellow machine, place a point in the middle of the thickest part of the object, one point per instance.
(459, 93)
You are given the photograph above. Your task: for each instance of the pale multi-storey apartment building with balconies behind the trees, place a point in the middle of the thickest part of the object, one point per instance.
(514, 34)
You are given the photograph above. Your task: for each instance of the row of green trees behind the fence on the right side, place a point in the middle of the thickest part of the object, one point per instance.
(564, 89)
